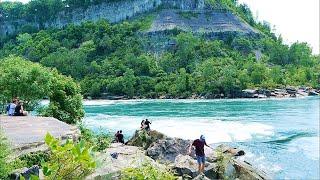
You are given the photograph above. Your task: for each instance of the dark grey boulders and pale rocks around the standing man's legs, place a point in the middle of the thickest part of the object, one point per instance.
(173, 152)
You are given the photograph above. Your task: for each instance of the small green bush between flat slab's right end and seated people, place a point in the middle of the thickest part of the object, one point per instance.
(99, 141)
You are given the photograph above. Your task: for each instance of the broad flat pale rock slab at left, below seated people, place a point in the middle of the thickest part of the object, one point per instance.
(26, 133)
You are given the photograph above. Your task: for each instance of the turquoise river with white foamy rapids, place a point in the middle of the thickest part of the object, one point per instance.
(280, 136)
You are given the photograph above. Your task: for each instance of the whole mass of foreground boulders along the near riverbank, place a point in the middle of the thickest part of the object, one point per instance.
(171, 153)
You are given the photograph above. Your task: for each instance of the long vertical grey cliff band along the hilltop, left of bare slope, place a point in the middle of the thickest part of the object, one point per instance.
(111, 11)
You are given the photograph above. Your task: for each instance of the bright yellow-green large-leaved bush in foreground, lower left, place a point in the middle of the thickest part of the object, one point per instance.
(68, 161)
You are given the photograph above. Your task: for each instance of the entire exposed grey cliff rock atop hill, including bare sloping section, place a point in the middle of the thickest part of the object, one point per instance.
(185, 15)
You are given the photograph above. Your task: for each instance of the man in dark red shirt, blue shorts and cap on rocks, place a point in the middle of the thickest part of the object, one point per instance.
(199, 146)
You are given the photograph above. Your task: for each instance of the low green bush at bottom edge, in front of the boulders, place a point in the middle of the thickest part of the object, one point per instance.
(146, 172)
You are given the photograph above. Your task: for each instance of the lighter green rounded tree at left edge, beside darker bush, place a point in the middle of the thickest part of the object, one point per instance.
(24, 79)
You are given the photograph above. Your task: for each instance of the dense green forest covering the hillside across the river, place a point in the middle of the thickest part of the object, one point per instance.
(112, 59)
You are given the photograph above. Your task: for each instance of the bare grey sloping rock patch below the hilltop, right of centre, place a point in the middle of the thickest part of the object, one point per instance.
(203, 21)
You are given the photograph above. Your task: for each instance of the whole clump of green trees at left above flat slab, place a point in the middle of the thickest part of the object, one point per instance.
(31, 82)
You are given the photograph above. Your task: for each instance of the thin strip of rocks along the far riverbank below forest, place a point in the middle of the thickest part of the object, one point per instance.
(288, 92)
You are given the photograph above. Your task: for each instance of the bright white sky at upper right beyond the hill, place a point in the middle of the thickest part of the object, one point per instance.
(294, 20)
